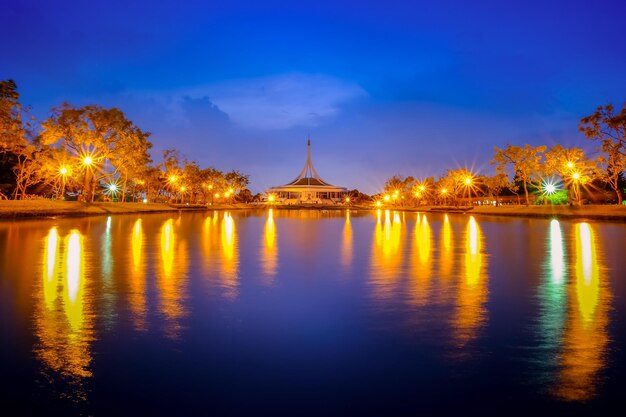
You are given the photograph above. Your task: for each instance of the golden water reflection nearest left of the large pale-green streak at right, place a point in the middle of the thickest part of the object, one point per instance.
(472, 290)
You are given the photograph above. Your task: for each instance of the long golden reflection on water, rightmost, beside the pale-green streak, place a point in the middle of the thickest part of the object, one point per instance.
(586, 338)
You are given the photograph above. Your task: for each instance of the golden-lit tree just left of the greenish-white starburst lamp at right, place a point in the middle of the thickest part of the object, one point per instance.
(525, 163)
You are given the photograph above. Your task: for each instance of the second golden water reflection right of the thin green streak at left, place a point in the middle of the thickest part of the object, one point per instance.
(172, 278)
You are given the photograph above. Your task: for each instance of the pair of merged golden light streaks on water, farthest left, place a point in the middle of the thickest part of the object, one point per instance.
(63, 324)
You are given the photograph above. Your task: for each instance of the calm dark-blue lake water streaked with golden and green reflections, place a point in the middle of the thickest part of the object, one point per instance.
(305, 312)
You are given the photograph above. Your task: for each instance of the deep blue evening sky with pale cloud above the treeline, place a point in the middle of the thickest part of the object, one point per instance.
(382, 88)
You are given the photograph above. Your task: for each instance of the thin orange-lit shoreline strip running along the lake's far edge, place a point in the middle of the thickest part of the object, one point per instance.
(33, 209)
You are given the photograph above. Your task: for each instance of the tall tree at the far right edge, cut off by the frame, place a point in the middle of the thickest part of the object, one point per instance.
(610, 129)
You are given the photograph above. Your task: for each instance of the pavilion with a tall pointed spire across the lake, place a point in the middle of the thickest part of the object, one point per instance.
(308, 187)
